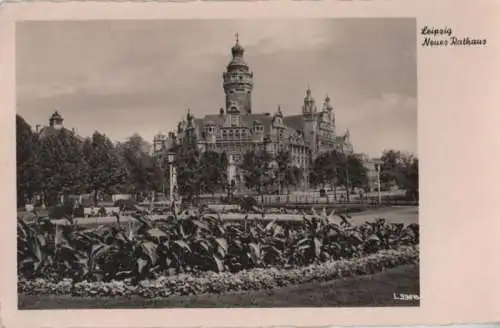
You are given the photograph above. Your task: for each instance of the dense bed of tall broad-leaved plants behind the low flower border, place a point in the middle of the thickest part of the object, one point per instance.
(145, 250)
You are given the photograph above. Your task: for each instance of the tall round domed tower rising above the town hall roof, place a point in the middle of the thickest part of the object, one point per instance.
(238, 82)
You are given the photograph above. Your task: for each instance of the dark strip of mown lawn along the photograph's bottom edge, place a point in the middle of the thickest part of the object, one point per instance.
(367, 291)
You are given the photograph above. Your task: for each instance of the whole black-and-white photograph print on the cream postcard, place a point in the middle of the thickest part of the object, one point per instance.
(217, 163)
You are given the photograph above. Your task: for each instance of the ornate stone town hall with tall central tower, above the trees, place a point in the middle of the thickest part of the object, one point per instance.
(238, 127)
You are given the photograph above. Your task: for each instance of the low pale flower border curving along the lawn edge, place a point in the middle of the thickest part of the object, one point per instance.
(210, 282)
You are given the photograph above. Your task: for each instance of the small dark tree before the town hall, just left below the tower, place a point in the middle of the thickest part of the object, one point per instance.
(213, 165)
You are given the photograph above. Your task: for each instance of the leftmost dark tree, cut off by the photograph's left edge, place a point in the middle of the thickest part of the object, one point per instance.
(28, 172)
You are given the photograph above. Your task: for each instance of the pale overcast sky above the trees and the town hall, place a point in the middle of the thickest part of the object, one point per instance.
(122, 77)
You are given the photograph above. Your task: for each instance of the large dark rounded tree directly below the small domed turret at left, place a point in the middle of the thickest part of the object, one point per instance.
(63, 167)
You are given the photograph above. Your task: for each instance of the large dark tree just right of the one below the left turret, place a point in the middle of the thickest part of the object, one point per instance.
(107, 174)
